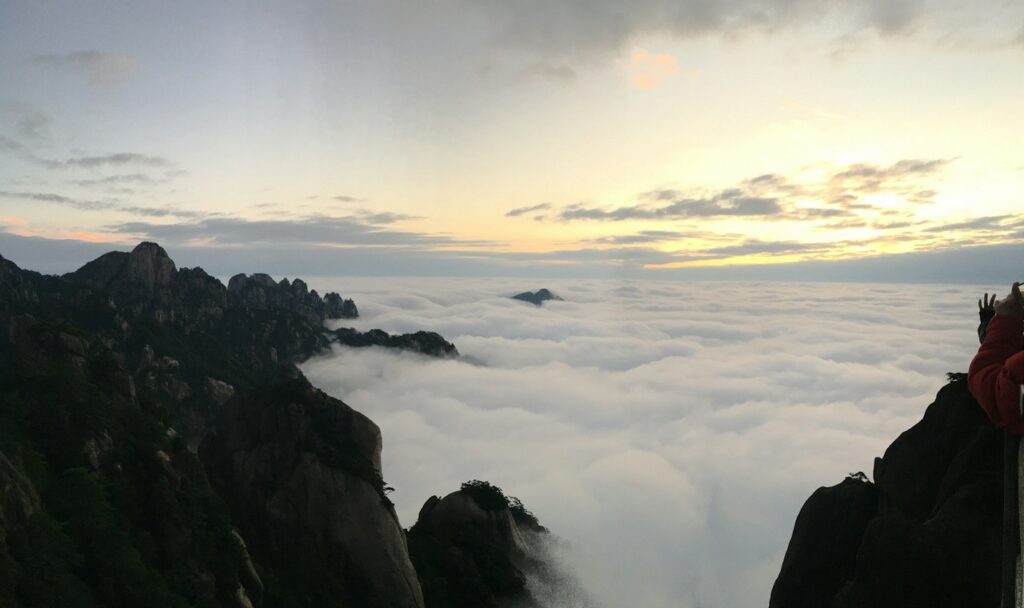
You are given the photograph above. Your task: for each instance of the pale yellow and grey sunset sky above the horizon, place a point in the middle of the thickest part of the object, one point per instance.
(650, 140)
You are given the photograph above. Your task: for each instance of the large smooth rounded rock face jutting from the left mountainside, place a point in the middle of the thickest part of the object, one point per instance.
(302, 472)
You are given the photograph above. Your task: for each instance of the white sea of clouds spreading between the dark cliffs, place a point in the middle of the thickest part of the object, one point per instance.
(669, 432)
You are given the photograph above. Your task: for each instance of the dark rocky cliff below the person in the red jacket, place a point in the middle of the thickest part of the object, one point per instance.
(927, 533)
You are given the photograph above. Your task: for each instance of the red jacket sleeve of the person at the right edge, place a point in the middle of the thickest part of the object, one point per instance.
(998, 373)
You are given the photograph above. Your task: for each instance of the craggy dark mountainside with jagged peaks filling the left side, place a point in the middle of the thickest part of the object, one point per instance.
(159, 448)
